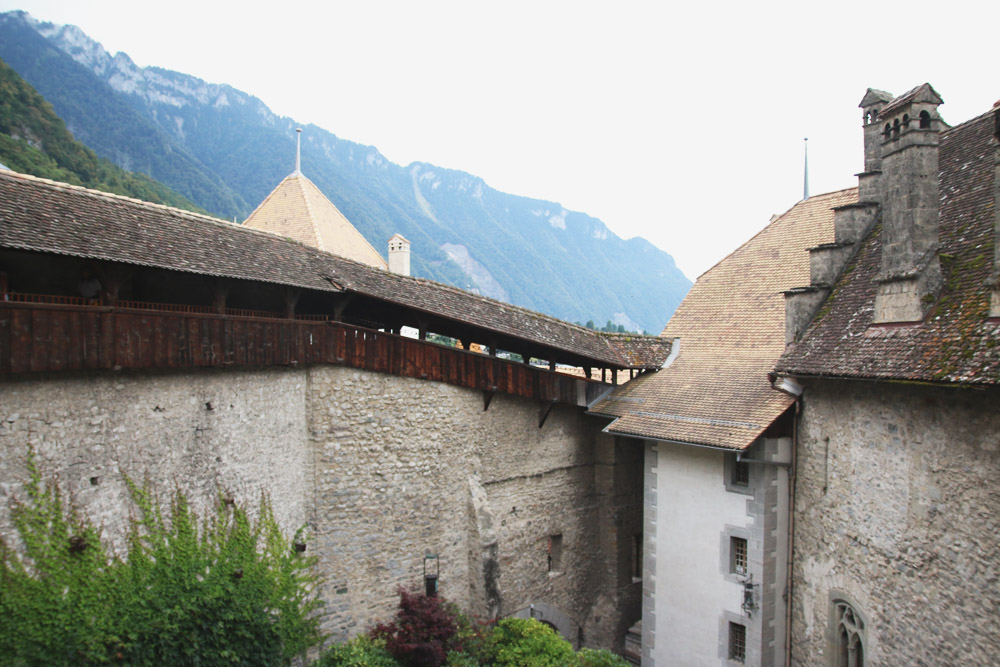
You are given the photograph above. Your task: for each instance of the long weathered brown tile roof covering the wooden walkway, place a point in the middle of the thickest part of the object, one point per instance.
(45, 216)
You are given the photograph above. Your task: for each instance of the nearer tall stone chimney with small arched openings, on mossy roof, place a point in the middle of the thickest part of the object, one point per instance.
(911, 271)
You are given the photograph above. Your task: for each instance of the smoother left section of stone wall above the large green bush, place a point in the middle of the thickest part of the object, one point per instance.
(203, 432)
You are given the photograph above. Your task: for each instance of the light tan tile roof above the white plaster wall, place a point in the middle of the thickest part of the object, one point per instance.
(731, 329)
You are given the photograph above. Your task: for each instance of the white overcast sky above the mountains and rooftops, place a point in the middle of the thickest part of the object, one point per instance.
(679, 122)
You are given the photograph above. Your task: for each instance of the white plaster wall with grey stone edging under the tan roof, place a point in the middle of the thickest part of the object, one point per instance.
(693, 510)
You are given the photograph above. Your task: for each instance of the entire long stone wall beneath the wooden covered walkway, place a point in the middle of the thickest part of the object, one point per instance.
(384, 470)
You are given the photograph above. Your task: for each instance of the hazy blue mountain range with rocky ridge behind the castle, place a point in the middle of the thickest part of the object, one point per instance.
(225, 150)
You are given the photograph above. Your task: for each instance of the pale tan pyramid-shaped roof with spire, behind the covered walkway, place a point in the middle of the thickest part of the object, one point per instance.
(297, 209)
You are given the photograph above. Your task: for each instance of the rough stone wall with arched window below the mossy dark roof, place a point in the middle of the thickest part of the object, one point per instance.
(896, 511)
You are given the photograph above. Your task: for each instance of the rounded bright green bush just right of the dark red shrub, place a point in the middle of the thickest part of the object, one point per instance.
(524, 642)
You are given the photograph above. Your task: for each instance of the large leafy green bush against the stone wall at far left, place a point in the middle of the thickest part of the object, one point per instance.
(232, 592)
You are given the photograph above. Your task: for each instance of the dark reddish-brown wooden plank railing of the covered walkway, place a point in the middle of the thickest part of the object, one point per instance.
(38, 337)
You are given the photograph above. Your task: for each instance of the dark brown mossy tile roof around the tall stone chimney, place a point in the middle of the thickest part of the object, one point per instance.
(956, 342)
